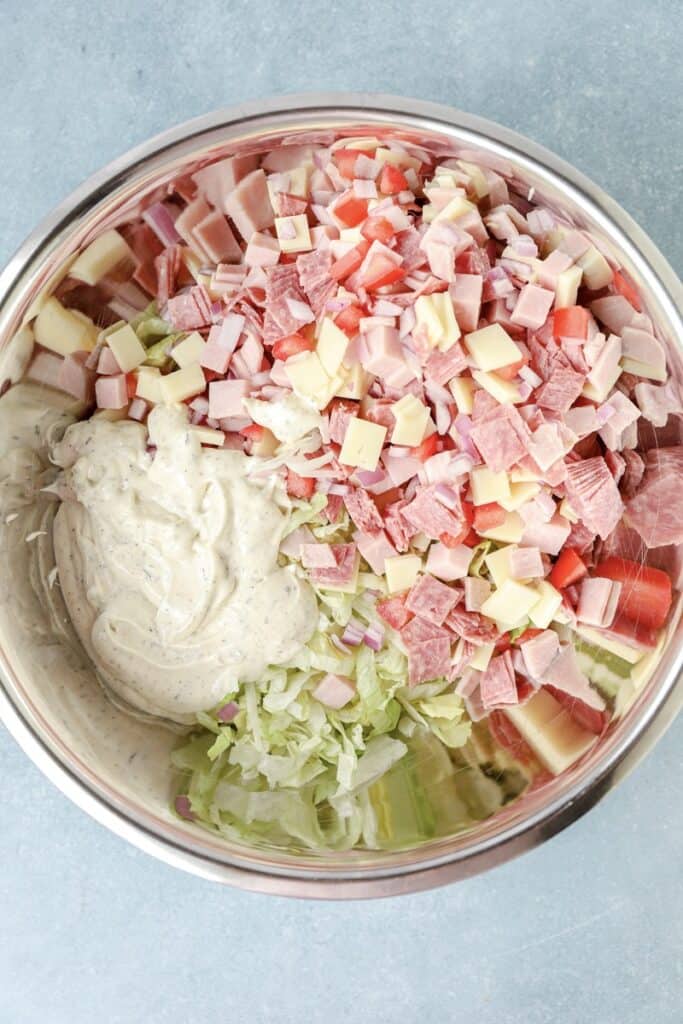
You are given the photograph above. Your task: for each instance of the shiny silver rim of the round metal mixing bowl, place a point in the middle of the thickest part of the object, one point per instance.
(175, 845)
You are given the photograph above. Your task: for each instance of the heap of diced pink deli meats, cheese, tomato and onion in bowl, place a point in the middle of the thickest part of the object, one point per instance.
(457, 396)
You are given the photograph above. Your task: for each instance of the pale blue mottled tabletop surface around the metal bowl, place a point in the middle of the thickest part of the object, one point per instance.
(589, 927)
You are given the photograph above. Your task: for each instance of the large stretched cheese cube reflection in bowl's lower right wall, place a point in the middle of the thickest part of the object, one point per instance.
(550, 732)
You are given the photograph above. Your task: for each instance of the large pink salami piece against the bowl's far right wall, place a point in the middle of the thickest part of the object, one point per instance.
(655, 511)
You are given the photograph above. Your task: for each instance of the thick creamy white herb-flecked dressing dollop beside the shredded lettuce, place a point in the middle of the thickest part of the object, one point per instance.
(168, 565)
